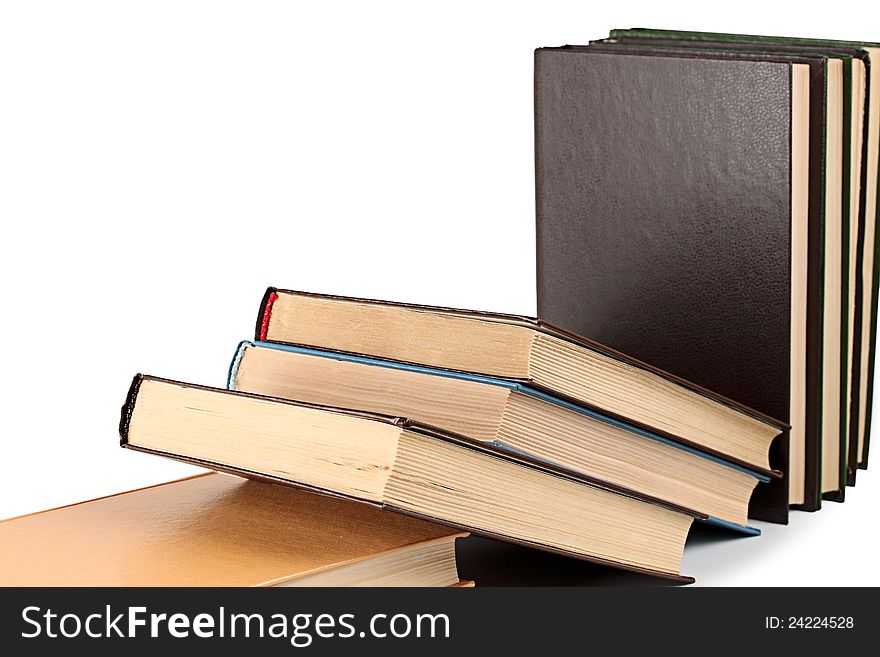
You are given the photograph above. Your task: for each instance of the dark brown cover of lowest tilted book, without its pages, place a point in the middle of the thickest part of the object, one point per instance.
(425, 429)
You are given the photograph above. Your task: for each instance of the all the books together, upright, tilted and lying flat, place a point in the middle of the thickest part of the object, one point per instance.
(707, 287)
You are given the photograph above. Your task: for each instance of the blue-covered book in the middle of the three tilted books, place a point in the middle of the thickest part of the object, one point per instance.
(510, 416)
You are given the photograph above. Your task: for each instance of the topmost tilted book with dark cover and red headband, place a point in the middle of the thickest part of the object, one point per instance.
(541, 357)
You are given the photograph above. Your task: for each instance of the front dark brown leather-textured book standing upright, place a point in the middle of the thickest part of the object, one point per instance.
(716, 272)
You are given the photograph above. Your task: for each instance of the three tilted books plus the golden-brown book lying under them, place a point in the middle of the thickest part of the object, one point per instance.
(369, 435)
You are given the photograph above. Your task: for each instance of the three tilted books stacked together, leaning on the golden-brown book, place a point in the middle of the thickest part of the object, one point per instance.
(498, 425)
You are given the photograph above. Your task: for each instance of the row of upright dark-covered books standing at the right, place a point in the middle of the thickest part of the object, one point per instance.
(708, 203)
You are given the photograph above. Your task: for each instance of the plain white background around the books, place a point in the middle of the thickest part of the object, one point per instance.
(161, 163)
